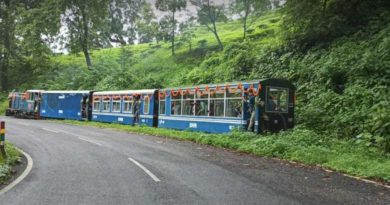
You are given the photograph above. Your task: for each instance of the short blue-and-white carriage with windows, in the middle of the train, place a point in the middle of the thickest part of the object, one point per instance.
(126, 107)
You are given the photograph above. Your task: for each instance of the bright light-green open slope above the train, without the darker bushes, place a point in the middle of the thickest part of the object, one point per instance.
(152, 65)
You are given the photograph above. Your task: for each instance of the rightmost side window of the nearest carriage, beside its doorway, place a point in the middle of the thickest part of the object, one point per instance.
(234, 103)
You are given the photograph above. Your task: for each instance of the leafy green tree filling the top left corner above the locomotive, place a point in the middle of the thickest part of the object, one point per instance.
(26, 28)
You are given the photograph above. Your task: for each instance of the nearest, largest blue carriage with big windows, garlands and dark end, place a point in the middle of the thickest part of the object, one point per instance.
(224, 107)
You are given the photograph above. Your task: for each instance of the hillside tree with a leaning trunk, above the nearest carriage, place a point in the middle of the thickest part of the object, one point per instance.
(208, 15)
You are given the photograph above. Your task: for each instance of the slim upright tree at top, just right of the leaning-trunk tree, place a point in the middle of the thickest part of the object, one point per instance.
(249, 8)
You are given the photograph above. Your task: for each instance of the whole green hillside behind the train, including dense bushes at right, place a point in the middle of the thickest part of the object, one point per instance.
(342, 84)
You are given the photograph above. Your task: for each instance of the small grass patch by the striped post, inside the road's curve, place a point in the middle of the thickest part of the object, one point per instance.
(13, 157)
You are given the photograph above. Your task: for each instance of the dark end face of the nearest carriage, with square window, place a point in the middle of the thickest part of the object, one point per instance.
(278, 113)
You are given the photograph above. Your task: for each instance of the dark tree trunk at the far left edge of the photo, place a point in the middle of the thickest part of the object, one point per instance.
(7, 47)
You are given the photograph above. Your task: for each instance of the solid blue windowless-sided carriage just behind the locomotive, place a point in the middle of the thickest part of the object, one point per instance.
(72, 105)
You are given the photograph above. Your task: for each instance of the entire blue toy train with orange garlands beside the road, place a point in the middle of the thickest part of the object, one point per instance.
(259, 106)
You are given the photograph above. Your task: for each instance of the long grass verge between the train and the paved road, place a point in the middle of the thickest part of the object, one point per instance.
(300, 145)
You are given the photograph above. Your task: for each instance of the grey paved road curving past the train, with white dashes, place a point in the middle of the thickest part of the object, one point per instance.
(84, 165)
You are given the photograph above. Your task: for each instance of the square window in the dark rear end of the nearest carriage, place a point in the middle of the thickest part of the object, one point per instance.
(277, 99)
